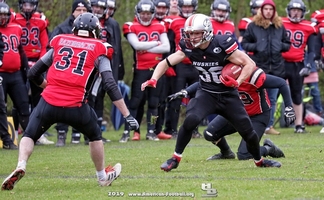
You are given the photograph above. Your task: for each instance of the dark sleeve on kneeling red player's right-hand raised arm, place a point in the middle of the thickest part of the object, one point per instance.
(277, 82)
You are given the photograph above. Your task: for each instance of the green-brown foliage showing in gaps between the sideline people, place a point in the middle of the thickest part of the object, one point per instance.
(58, 10)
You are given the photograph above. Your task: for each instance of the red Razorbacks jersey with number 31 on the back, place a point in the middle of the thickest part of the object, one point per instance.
(71, 74)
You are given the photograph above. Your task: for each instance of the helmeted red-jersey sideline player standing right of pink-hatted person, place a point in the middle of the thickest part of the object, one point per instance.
(301, 33)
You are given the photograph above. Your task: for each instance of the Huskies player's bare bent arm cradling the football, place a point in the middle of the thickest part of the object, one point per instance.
(238, 57)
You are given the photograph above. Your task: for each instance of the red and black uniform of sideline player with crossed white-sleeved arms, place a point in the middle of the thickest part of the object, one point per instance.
(144, 64)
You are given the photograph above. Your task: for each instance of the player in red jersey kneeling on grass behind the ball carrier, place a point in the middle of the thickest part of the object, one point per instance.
(256, 102)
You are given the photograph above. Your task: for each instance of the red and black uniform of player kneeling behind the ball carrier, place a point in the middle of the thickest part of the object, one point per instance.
(257, 104)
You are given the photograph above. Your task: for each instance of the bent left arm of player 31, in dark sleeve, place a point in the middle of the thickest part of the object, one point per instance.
(35, 73)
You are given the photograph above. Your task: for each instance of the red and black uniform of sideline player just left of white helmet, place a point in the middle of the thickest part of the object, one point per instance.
(185, 74)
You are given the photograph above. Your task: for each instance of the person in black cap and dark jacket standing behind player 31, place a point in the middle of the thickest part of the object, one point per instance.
(78, 7)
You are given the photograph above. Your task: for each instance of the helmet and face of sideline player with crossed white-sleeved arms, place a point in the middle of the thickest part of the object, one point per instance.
(145, 12)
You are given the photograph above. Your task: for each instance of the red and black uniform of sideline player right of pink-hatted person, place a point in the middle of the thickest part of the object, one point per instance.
(300, 34)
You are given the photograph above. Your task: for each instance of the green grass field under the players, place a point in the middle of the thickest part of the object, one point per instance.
(68, 173)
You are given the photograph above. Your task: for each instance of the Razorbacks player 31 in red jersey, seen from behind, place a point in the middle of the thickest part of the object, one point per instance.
(72, 62)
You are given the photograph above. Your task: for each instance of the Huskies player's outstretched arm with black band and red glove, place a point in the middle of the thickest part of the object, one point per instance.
(162, 66)
